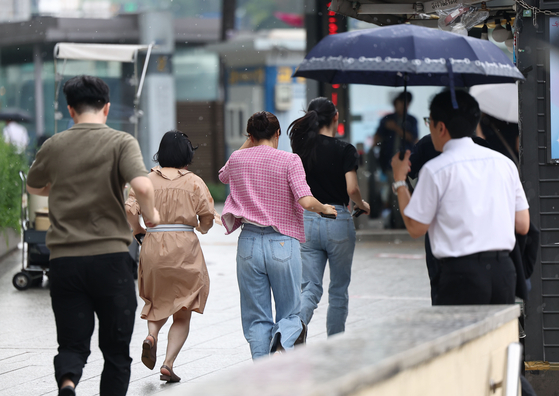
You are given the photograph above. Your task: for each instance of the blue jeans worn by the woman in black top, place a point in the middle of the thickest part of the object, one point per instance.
(332, 240)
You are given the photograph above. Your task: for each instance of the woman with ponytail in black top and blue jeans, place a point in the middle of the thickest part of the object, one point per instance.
(330, 165)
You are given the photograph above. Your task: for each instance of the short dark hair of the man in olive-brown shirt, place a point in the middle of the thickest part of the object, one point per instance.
(86, 93)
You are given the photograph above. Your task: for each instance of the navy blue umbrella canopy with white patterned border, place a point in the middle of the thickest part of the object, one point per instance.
(403, 55)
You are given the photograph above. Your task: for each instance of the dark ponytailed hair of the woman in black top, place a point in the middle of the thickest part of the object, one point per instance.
(304, 131)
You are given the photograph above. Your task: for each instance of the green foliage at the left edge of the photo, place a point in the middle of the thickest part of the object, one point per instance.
(11, 162)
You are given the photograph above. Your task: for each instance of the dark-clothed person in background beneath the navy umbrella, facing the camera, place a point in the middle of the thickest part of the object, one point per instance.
(388, 137)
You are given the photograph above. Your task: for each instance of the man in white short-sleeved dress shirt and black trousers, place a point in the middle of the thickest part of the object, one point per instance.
(471, 201)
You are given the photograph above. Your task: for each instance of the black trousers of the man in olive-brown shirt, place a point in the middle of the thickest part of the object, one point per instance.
(81, 287)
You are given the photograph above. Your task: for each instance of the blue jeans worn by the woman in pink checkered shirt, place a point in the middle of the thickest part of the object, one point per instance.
(268, 260)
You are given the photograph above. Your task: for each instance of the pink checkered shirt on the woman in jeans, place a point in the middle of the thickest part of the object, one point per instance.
(266, 185)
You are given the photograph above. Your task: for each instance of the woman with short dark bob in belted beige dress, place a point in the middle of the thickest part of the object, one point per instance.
(172, 276)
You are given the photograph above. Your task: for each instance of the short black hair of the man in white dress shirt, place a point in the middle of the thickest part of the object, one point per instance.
(460, 122)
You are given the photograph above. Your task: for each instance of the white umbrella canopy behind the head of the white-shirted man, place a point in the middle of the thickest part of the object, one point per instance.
(498, 100)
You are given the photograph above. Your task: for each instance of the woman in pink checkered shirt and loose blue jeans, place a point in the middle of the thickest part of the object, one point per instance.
(268, 194)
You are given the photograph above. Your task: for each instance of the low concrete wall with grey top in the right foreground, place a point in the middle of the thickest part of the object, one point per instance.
(436, 351)
